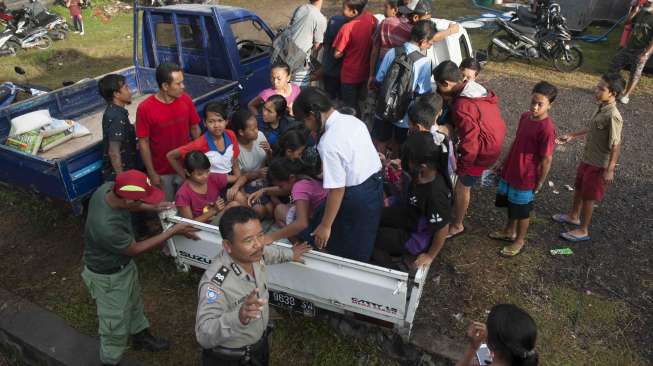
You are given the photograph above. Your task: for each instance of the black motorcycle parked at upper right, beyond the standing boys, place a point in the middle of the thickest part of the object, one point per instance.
(550, 41)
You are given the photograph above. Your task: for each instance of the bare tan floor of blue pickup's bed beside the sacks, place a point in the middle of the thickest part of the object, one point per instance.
(93, 122)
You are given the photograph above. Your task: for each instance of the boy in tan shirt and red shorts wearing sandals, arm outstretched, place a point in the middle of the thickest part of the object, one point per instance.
(602, 148)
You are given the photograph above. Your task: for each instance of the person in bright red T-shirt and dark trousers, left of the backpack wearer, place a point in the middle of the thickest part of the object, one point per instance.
(354, 44)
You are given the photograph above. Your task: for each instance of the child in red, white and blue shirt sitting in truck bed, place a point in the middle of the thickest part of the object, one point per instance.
(220, 146)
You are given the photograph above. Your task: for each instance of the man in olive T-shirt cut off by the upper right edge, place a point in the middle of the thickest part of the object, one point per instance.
(638, 50)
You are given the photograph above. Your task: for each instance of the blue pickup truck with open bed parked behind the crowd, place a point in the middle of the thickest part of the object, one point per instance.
(224, 51)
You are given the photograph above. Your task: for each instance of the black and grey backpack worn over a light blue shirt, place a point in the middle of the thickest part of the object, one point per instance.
(397, 91)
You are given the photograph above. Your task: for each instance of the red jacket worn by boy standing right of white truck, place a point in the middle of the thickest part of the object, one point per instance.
(480, 129)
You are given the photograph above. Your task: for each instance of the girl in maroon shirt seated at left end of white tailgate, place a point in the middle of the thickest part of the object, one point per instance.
(198, 198)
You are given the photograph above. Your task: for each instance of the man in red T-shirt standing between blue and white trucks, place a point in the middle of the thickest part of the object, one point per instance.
(166, 121)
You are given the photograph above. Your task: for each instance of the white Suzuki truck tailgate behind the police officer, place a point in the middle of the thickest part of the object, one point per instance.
(329, 282)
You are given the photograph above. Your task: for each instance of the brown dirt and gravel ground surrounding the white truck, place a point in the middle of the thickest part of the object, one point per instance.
(592, 308)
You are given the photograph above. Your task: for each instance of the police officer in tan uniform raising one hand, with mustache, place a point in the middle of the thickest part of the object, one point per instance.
(232, 313)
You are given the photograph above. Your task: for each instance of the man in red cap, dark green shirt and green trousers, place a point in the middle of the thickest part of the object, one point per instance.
(110, 273)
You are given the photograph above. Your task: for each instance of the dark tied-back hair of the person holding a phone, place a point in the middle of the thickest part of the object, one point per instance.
(512, 334)
